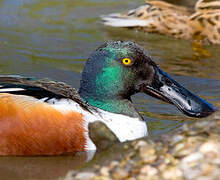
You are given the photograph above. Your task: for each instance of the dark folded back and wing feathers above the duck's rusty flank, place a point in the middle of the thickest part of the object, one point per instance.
(38, 88)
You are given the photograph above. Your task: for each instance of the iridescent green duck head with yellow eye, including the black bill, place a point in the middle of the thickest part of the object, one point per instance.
(118, 70)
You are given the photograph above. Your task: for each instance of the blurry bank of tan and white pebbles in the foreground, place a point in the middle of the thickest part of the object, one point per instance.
(192, 152)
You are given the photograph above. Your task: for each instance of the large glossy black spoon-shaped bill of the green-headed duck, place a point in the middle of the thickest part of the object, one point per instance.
(167, 89)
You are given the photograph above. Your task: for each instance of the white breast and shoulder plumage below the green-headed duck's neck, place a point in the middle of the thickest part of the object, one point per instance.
(124, 127)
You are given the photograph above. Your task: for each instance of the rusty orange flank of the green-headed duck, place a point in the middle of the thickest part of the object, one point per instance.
(30, 127)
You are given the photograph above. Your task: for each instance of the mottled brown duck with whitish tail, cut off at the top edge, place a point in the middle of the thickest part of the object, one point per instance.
(200, 24)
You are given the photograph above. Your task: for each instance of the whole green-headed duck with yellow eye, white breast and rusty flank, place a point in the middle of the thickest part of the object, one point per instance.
(45, 117)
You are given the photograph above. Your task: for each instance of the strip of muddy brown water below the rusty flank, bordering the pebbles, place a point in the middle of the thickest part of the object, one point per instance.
(55, 167)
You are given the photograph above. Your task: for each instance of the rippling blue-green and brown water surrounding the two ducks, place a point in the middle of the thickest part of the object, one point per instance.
(44, 38)
